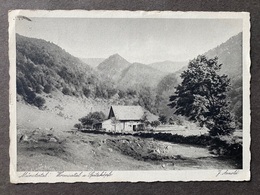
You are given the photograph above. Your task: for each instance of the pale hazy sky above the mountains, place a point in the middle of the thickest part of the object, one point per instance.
(137, 40)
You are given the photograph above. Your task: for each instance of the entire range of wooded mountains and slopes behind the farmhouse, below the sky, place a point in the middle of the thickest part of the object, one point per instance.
(45, 67)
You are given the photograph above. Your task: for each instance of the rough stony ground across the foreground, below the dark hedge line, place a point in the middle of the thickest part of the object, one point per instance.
(45, 150)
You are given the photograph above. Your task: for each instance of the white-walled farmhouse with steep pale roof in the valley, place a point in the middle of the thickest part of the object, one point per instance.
(123, 118)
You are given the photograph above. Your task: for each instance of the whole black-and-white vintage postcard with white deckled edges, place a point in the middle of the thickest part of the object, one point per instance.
(122, 96)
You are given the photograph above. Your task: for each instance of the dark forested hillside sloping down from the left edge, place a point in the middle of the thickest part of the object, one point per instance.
(45, 67)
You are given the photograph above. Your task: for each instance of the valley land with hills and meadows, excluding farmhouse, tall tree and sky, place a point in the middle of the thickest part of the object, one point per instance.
(56, 89)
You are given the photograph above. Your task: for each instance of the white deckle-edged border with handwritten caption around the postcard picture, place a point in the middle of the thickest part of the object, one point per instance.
(130, 176)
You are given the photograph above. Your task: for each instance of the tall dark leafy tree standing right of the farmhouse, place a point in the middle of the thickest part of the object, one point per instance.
(202, 96)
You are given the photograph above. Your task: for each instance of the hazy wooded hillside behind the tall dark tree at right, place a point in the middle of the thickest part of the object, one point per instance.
(230, 55)
